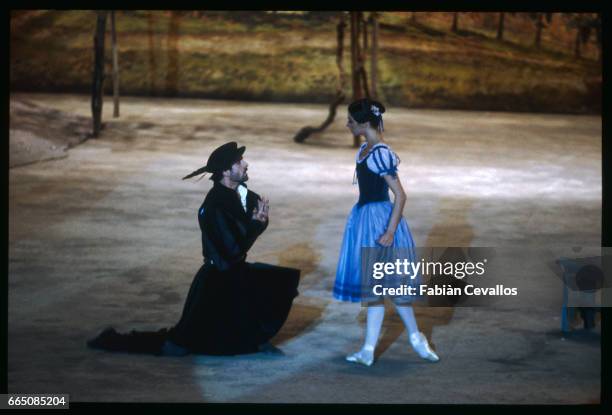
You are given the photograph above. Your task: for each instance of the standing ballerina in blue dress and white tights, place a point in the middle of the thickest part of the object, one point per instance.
(374, 222)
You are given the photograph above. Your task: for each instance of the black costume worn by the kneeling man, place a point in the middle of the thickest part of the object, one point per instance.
(233, 306)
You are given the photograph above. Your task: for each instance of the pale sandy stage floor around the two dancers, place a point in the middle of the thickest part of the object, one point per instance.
(107, 235)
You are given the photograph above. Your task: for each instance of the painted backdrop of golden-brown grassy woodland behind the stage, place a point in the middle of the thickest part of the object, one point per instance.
(524, 62)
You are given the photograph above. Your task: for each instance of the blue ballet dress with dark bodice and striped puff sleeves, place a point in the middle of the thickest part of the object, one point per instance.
(367, 222)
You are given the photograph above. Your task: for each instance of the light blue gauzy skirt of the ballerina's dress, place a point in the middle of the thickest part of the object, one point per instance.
(365, 225)
